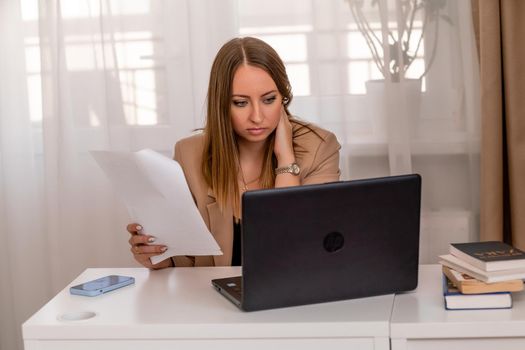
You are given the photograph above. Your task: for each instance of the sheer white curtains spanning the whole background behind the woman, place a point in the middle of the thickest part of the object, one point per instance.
(79, 75)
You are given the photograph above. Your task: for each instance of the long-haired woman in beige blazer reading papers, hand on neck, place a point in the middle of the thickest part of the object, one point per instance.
(250, 142)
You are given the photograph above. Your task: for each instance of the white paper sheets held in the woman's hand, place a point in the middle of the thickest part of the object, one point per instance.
(157, 196)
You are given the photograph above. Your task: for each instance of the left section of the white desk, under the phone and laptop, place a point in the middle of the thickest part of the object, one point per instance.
(178, 308)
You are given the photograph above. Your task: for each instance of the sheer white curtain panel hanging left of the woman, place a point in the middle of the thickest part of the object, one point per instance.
(80, 75)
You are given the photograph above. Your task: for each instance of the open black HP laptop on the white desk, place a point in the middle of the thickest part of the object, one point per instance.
(319, 243)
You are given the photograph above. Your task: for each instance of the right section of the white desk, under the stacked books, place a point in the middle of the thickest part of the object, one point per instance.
(420, 321)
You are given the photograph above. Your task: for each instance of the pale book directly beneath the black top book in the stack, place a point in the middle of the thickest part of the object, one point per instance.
(471, 270)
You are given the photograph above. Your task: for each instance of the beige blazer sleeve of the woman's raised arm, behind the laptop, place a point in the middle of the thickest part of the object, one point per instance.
(325, 165)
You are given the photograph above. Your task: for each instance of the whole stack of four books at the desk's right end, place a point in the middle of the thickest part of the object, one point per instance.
(482, 275)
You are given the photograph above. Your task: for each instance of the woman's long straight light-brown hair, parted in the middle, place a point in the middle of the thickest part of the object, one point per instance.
(220, 161)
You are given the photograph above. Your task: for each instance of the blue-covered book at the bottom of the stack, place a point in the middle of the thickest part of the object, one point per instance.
(454, 300)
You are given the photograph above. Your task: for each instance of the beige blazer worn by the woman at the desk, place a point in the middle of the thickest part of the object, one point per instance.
(319, 163)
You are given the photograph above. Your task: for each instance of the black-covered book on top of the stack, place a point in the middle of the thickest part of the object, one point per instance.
(489, 256)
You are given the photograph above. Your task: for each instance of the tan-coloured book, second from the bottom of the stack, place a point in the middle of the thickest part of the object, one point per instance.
(469, 285)
